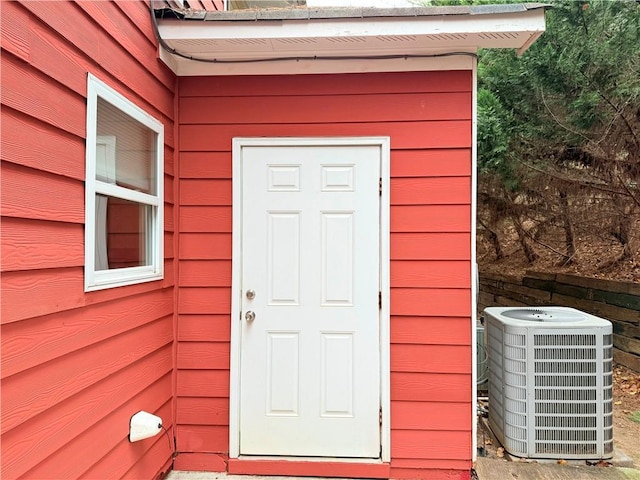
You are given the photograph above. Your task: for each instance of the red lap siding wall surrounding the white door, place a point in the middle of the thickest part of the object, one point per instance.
(428, 117)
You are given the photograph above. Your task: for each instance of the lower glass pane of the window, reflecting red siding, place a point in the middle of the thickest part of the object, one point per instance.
(122, 233)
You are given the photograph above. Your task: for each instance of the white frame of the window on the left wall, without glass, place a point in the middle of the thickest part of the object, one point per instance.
(116, 277)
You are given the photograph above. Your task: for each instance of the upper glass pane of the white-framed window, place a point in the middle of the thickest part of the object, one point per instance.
(125, 150)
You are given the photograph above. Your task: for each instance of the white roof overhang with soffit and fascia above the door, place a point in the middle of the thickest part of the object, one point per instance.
(281, 42)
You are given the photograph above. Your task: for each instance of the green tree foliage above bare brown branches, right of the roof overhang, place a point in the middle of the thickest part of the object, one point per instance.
(577, 81)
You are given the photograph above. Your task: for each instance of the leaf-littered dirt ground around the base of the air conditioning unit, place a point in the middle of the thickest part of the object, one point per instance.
(626, 420)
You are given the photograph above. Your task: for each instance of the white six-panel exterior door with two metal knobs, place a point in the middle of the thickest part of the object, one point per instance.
(310, 359)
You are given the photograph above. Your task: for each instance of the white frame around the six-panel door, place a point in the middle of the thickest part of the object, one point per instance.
(234, 388)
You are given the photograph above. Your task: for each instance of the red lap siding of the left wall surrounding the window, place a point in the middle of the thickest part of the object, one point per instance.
(76, 366)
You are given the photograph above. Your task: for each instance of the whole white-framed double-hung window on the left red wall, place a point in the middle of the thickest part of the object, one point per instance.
(124, 197)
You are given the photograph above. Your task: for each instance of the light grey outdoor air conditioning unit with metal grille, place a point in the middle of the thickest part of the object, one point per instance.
(550, 382)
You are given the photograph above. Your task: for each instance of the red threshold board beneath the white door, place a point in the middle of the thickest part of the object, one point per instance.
(309, 467)
